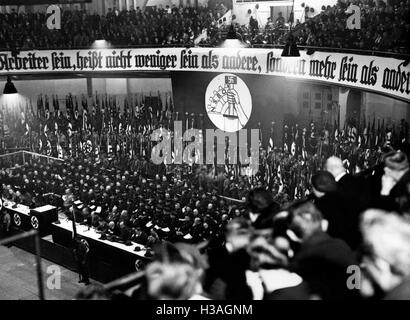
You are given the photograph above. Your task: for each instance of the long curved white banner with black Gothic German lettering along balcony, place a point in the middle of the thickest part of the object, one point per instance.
(384, 75)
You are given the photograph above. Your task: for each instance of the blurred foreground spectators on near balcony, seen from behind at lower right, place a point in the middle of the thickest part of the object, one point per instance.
(349, 241)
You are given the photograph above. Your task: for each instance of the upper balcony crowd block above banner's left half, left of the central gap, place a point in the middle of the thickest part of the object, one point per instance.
(79, 29)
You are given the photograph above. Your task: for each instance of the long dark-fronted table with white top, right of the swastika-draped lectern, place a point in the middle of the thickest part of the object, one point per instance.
(108, 260)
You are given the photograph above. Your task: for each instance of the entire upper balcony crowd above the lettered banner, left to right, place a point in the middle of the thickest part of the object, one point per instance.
(384, 26)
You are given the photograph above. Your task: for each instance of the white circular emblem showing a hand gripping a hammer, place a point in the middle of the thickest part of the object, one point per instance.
(228, 102)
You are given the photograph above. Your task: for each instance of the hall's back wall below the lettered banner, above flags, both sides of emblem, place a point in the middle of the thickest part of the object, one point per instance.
(302, 101)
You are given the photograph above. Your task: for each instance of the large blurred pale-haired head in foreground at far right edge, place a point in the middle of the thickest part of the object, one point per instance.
(386, 238)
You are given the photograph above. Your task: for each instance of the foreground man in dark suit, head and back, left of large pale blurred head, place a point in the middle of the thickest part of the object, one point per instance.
(322, 261)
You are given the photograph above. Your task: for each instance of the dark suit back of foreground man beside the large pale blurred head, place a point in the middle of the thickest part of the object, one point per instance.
(322, 262)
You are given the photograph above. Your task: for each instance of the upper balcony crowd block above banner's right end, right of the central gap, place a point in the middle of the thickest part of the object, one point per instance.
(384, 25)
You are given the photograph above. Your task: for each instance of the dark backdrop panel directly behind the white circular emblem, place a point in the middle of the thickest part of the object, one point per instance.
(272, 99)
